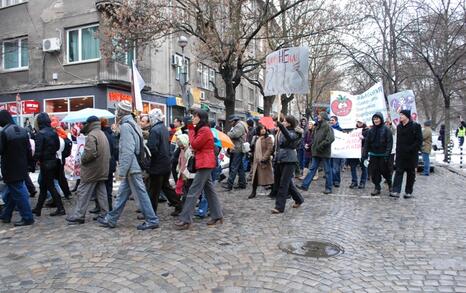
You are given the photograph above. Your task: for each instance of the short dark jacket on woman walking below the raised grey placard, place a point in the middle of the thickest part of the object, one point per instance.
(288, 142)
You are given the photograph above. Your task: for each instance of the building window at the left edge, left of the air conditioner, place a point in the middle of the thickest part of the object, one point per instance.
(15, 54)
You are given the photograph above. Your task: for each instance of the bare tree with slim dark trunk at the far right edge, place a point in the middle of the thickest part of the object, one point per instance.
(437, 39)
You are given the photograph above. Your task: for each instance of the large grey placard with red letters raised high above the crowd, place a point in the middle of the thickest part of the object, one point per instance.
(287, 71)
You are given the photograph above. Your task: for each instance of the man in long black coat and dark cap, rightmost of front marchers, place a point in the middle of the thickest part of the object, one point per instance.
(408, 145)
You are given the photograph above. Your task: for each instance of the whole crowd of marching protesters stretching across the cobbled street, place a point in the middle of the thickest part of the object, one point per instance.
(182, 164)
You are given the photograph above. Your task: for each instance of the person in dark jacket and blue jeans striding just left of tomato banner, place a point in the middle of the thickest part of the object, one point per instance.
(321, 151)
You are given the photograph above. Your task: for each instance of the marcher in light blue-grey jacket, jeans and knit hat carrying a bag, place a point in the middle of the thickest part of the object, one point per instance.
(131, 156)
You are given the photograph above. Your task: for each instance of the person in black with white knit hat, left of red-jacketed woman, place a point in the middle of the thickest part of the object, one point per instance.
(159, 146)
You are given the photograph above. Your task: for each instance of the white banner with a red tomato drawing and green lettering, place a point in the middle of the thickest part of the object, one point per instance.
(348, 107)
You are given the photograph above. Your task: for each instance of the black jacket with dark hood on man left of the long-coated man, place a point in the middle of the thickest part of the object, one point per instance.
(379, 140)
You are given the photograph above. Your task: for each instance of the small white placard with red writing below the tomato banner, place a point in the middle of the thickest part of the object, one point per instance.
(347, 145)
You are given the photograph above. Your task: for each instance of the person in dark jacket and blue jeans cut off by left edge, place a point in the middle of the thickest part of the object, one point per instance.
(16, 153)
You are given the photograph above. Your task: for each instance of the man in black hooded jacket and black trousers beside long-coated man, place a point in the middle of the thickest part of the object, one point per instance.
(378, 147)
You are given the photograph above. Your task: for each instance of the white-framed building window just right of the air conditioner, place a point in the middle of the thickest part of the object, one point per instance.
(83, 44)
